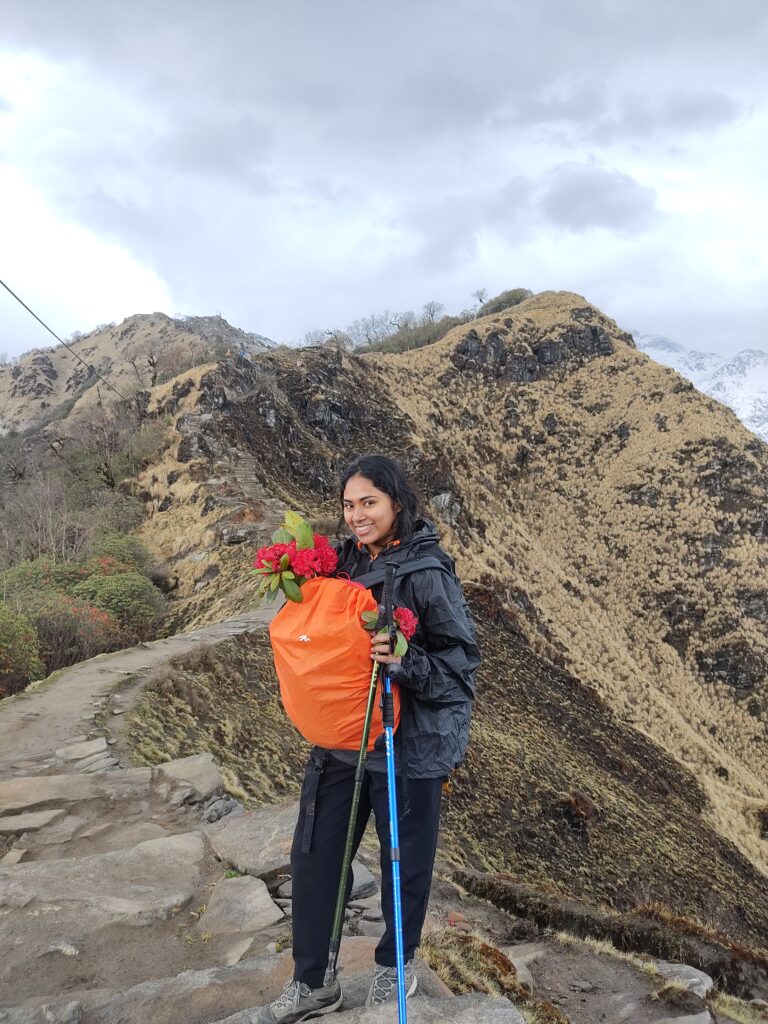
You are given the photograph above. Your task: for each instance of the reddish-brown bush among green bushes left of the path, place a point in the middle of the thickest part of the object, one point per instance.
(70, 631)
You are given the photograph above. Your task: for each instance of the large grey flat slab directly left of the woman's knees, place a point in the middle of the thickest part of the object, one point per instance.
(258, 843)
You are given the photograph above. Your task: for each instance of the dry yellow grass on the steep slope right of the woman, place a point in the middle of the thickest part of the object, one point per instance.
(586, 556)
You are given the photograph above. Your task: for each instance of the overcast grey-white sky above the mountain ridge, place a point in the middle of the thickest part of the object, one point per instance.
(298, 165)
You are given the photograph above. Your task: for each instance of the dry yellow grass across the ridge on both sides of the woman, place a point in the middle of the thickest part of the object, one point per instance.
(604, 534)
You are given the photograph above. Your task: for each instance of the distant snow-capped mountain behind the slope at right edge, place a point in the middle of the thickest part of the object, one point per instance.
(741, 382)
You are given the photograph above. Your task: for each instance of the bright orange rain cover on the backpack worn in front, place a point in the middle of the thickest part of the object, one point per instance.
(323, 658)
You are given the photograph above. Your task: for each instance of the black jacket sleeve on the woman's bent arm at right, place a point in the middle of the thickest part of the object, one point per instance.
(443, 658)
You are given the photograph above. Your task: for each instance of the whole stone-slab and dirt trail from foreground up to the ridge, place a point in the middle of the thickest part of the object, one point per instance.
(131, 895)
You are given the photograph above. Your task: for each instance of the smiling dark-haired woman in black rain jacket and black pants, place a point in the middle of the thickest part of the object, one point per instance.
(437, 696)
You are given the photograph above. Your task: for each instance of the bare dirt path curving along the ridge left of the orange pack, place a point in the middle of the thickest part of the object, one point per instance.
(36, 722)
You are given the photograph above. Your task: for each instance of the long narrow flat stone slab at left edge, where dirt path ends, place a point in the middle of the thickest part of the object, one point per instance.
(62, 791)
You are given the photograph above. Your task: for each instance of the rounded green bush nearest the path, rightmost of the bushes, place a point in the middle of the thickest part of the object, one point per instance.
(133, 601)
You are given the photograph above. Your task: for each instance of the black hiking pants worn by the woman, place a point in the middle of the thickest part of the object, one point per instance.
(319, 850)
